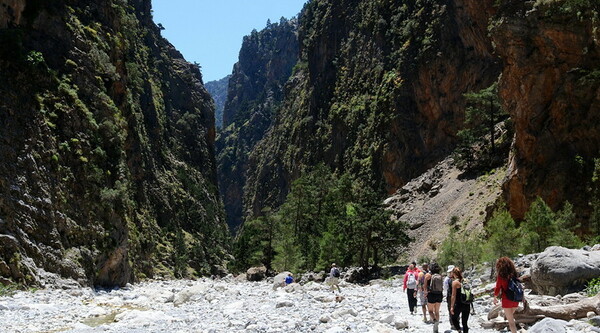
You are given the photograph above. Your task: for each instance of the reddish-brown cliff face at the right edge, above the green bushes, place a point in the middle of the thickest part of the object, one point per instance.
(551, 87)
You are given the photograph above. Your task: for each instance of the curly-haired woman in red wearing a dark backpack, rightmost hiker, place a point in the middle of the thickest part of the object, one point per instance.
(509, 288)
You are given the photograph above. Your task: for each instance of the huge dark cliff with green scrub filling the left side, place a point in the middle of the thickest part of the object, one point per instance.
(107, 171)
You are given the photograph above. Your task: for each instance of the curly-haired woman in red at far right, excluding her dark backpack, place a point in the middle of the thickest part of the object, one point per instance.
(506, 270)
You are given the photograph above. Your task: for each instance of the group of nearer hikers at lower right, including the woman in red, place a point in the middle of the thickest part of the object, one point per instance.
(426, 287)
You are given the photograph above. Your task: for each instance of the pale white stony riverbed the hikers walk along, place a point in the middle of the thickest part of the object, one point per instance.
(226, 305)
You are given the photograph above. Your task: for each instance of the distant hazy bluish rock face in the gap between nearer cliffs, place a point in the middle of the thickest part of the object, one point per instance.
(255, 92)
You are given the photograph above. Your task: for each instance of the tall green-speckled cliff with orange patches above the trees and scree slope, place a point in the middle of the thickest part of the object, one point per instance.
(378, 92)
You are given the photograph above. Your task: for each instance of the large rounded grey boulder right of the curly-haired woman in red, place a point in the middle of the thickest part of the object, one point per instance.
(559, 270)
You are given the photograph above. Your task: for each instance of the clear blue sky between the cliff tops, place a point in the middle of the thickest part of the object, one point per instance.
(210, 32)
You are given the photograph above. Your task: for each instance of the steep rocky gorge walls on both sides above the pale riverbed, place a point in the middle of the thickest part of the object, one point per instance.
(111, 165)
